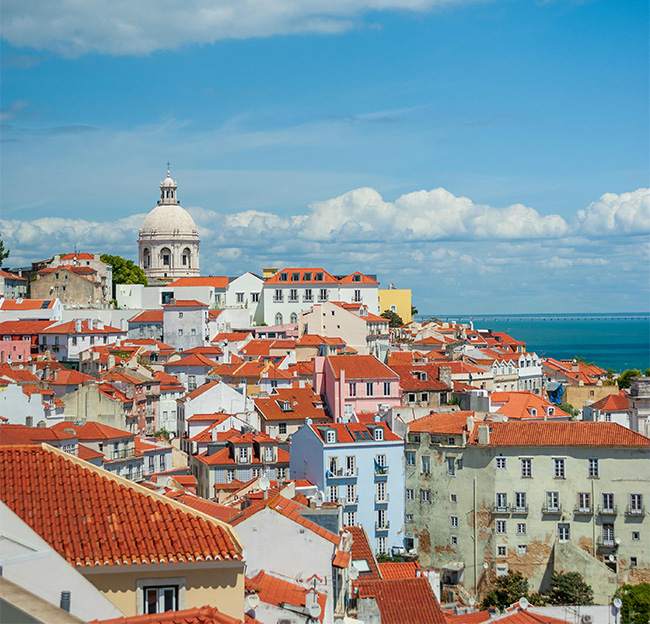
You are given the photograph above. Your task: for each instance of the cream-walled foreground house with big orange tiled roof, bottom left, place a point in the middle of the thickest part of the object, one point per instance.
(144, 552)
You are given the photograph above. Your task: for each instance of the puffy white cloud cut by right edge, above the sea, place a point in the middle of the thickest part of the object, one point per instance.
(627, 213)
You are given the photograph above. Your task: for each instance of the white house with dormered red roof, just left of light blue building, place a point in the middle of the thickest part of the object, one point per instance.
(240, 457)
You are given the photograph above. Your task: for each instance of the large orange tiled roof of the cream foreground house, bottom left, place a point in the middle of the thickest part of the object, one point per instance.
(93, 518)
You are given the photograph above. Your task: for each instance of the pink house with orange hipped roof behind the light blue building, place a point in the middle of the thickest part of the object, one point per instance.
(355, 383)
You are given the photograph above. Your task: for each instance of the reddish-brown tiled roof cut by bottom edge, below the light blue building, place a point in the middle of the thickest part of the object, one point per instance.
(403, 601)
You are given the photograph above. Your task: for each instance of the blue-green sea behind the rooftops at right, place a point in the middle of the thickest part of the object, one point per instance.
(616, 341)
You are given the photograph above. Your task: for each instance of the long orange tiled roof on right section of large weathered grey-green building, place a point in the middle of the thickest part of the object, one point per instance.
(563, 433)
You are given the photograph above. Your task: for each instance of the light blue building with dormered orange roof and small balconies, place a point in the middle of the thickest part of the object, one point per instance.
(360, 467)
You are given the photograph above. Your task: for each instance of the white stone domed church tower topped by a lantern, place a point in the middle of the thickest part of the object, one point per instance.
(168, 245)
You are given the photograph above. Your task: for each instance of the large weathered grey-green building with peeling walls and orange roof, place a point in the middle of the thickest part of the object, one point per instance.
(547, 495)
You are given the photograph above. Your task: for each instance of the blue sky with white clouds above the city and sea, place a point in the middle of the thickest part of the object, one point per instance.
(493, 156)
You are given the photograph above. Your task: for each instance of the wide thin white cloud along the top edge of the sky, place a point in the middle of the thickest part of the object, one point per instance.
(76, 27)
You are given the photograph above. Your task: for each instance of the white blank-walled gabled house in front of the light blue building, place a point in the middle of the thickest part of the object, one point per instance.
(287, 539)
